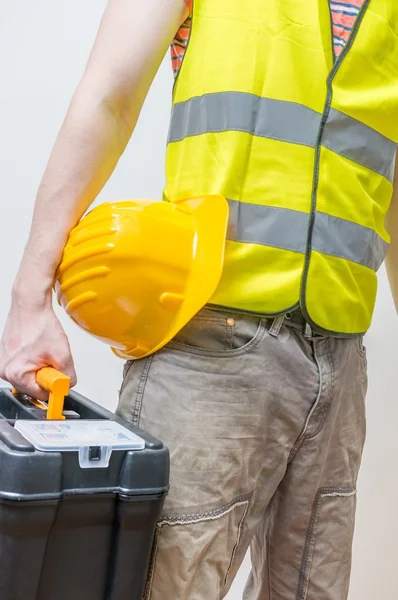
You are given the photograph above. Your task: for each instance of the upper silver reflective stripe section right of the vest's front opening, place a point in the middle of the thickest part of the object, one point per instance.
(358, 142)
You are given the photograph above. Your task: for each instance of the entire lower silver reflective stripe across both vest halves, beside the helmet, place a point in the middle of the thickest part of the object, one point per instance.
(287, 229)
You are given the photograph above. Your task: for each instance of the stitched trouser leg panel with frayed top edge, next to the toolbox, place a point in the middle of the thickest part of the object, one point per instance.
(194, 552)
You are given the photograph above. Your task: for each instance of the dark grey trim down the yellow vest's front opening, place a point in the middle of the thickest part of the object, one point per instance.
(324, 119)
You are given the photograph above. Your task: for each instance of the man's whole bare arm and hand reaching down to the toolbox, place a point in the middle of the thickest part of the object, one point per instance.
(130, 45)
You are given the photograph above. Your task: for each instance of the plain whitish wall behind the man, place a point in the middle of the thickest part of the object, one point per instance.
(43, 50)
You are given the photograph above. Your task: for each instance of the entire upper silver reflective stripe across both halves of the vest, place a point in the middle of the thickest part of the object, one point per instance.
(283, 121)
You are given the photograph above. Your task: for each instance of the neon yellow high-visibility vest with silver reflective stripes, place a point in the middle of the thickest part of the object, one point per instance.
(302, 145)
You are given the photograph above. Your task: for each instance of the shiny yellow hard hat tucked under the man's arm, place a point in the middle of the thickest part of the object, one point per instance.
(134, 272)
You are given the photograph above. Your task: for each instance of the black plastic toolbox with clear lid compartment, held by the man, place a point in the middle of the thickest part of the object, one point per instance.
(79, 502)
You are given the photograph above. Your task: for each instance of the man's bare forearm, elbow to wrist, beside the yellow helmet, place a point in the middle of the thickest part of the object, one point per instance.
(87, 150)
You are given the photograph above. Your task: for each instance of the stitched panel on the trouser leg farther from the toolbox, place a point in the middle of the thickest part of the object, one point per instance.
(326, 563)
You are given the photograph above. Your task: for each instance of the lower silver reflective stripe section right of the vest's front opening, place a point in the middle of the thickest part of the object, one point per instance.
(348, 240)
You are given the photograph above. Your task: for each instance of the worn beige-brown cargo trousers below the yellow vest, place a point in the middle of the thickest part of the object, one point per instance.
(265, 423)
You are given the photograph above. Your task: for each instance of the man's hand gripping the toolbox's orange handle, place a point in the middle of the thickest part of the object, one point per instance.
(33, 338)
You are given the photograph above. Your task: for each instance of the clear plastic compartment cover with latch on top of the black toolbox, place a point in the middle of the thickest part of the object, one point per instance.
(94, 440)
